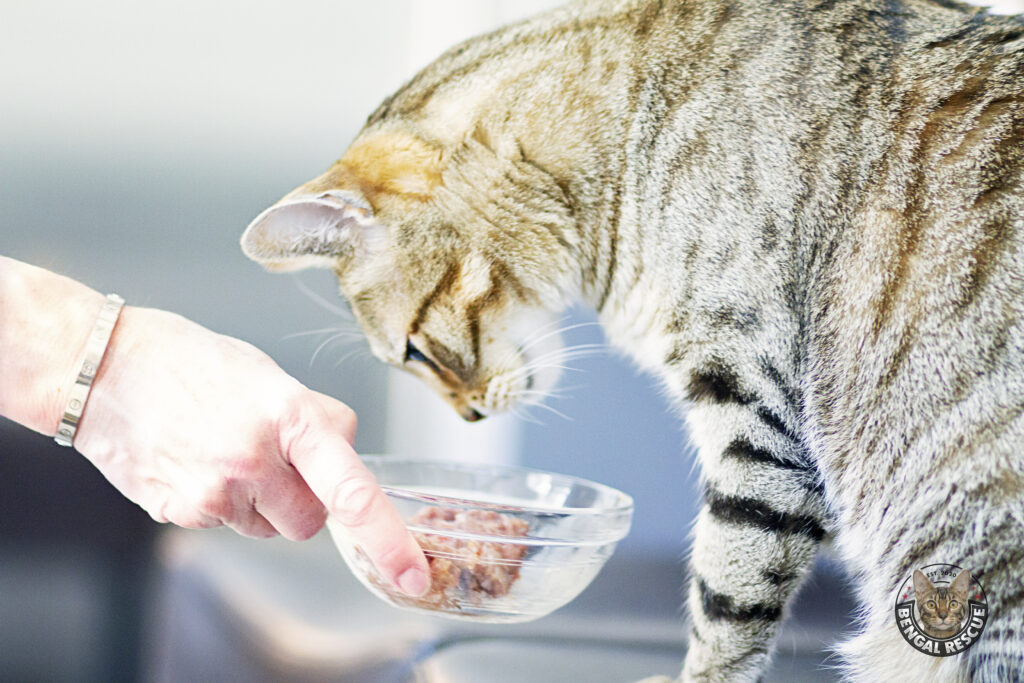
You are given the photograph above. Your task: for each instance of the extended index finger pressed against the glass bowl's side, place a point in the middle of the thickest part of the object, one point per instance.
(350, 492)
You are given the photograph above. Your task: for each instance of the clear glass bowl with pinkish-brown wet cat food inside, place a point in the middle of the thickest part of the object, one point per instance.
(505, 544)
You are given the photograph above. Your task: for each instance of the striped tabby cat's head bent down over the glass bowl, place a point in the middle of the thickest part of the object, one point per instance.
(452, 259)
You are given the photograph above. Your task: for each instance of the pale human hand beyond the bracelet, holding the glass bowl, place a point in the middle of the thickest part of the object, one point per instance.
(203, 431)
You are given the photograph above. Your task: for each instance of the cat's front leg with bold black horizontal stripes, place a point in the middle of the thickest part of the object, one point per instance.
(755, 539)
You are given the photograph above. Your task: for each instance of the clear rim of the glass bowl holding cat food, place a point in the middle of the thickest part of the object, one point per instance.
(624, 501)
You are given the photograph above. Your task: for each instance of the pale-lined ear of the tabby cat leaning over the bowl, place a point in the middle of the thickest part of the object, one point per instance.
(311, 231)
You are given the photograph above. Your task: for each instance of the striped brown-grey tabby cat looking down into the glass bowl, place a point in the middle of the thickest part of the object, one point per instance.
(806, 218)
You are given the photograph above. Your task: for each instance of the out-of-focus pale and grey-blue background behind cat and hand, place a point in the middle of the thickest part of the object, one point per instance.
(137, 143)
